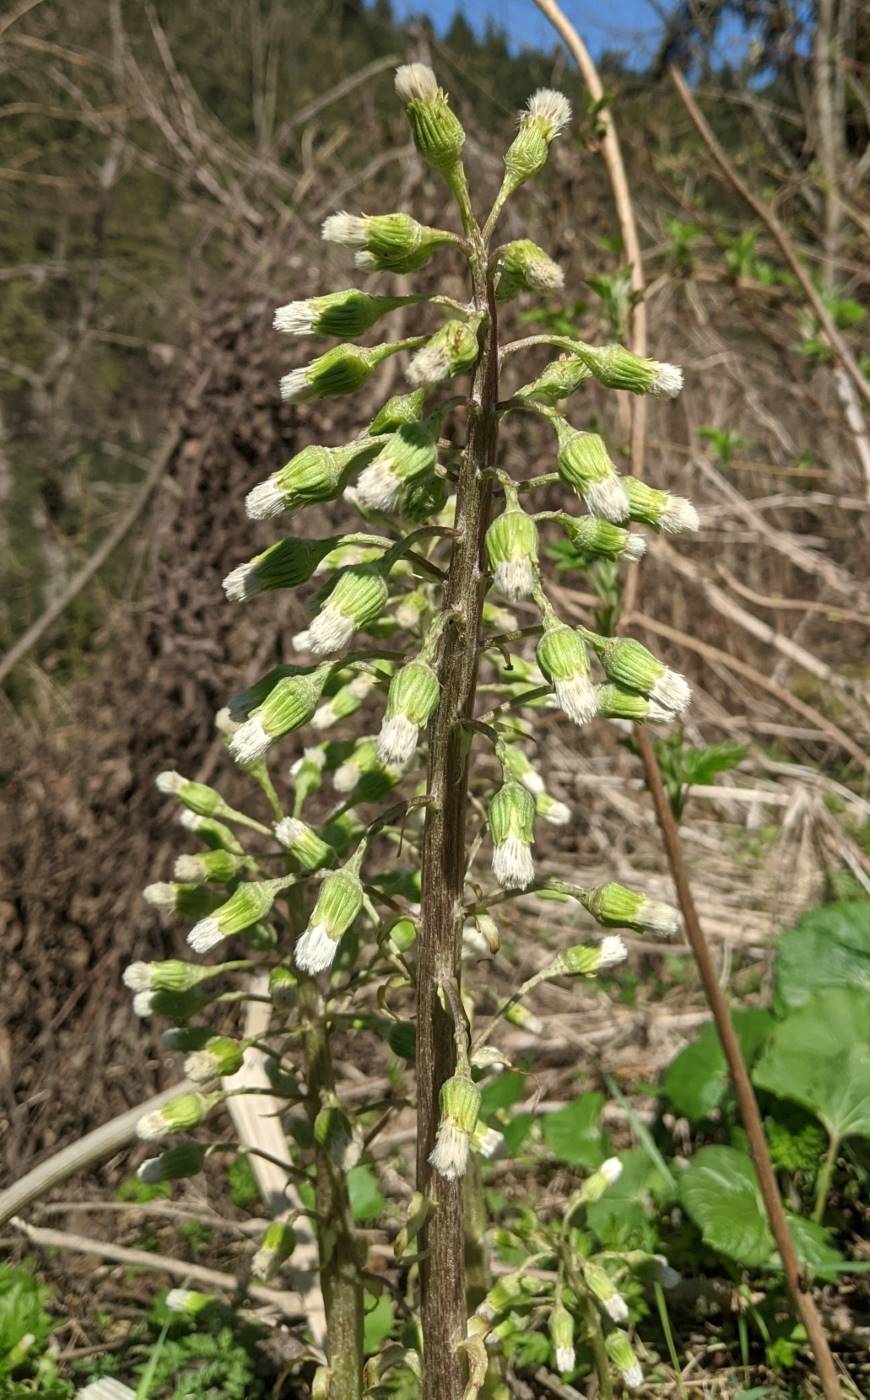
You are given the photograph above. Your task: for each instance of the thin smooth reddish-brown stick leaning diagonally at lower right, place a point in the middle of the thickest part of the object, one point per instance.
(740, 1077)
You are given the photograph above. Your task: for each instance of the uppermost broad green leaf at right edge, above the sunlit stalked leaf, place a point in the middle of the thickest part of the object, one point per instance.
(829, 948)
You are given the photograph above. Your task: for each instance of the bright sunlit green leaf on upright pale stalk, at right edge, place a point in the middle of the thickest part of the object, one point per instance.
(820, 1058)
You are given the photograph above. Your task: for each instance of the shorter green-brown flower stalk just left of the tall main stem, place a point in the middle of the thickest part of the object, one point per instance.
(340, 1258)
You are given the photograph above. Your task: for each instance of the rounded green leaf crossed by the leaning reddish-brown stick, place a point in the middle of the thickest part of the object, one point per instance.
(721, 1192)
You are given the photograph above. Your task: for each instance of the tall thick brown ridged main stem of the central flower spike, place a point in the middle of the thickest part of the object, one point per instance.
(442, 1272)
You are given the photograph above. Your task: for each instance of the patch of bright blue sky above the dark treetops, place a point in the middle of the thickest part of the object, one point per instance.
(623, 24)
